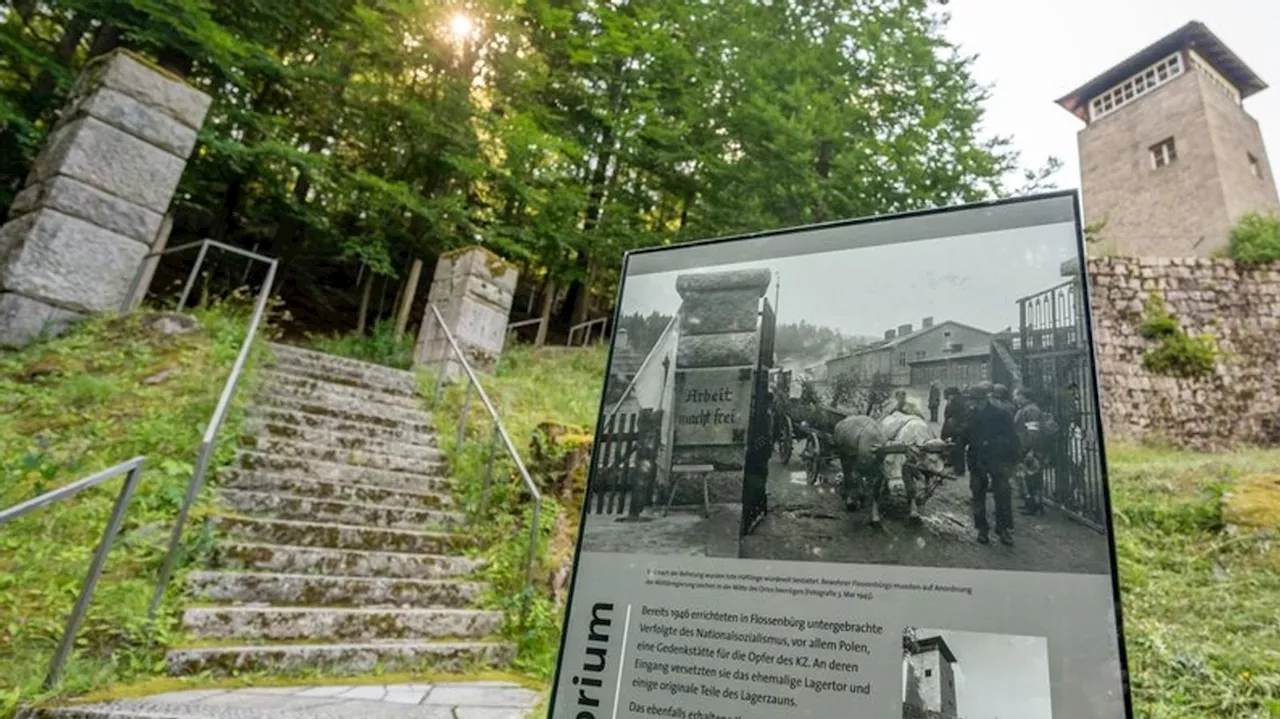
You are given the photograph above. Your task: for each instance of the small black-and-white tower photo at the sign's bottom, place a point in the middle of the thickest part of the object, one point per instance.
(949, 675)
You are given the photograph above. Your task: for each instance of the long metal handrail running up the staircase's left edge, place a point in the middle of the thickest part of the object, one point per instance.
(216, 424)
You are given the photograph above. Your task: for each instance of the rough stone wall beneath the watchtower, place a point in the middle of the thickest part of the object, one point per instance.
(1241, 309)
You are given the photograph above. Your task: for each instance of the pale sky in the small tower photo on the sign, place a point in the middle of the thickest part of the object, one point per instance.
(999, 676)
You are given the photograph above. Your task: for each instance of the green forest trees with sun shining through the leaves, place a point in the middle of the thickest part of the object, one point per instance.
(358, 135)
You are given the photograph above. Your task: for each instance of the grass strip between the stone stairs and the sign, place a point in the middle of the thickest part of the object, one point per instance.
(531, 387)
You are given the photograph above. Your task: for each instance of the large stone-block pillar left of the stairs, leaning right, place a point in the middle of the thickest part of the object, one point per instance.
(95, 196)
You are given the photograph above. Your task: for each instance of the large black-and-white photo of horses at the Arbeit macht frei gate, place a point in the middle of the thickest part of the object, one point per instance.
(918, 402)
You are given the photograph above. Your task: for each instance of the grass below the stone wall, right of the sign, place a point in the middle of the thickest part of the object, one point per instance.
(1201, 606)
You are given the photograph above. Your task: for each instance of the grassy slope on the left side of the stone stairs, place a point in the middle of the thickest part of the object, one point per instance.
(74, 406)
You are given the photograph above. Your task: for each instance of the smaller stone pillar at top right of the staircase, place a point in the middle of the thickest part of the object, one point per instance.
(474, 290)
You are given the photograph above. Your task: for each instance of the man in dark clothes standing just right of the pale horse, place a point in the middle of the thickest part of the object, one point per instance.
(994, 456)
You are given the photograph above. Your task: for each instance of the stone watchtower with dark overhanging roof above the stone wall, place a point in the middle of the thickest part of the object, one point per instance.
(1169, 158)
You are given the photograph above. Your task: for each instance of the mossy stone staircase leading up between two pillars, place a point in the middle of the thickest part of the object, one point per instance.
(340, 548)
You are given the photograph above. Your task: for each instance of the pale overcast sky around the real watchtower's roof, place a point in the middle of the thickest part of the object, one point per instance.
(1035, 52)
